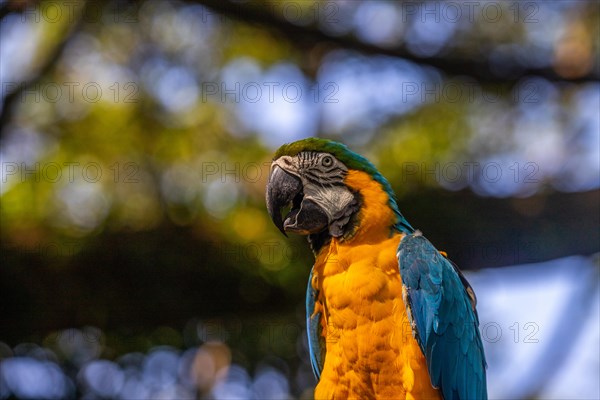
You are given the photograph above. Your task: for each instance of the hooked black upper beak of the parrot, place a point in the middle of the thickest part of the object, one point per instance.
(281, 190)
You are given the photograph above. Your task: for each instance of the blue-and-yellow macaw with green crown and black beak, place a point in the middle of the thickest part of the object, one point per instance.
(388, 315)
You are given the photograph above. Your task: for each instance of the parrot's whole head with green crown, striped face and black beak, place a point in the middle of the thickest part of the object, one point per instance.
(331, 192)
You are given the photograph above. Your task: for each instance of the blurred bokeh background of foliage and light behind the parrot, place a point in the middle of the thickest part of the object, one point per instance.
(138, 260)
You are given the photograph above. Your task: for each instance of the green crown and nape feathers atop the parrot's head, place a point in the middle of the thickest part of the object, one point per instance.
(353, 161)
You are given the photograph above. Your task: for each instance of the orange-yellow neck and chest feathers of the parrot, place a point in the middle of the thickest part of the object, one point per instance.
(370, 350)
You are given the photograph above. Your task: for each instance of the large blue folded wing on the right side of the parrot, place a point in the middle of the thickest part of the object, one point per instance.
(446, 323)
